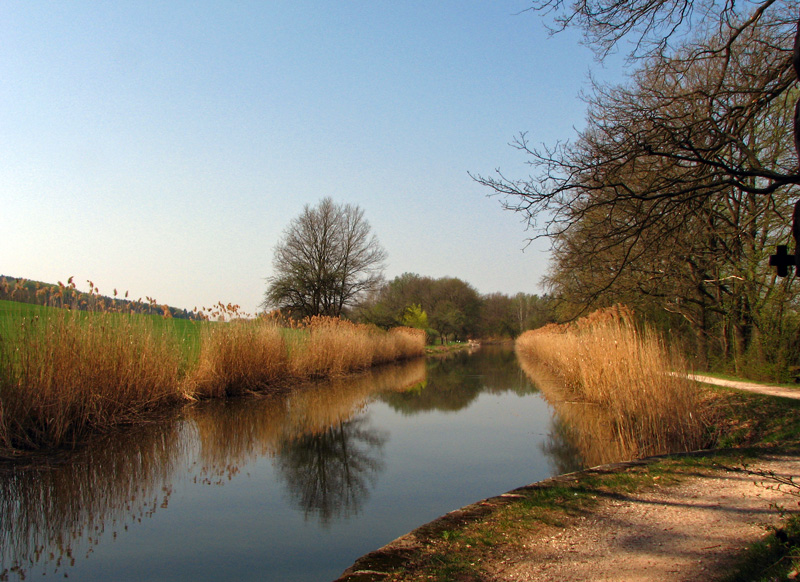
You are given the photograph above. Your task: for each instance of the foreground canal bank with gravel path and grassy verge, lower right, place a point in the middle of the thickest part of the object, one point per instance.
(678, 517)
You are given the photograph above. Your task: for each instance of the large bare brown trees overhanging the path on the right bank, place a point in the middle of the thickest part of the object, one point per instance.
(682, 183)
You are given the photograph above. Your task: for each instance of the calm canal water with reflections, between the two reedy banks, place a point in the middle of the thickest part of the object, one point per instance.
(294, 487)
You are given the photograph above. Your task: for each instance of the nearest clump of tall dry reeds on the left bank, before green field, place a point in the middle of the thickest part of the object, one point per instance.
(65, 373)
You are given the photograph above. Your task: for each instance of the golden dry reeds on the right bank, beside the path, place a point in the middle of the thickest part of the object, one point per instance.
(639, 385)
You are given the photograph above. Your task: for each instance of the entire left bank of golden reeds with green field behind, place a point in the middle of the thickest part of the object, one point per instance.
(65, 374)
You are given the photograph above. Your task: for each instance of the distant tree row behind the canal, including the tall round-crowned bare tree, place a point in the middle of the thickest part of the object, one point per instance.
(328, 263)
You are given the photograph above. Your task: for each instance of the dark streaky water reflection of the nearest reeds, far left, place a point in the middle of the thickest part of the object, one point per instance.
(53, 511)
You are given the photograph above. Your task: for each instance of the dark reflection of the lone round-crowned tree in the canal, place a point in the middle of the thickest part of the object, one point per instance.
(329, 474)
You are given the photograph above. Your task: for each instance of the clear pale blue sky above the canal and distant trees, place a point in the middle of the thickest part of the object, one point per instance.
(163, 147)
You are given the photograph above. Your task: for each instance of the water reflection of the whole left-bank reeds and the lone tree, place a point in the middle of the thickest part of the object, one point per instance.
(54, 511)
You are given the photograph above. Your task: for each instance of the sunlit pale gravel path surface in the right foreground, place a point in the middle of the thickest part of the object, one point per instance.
(694, 530)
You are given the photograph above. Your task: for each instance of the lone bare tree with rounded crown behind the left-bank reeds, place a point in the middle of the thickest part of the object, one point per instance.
(325, 262)
